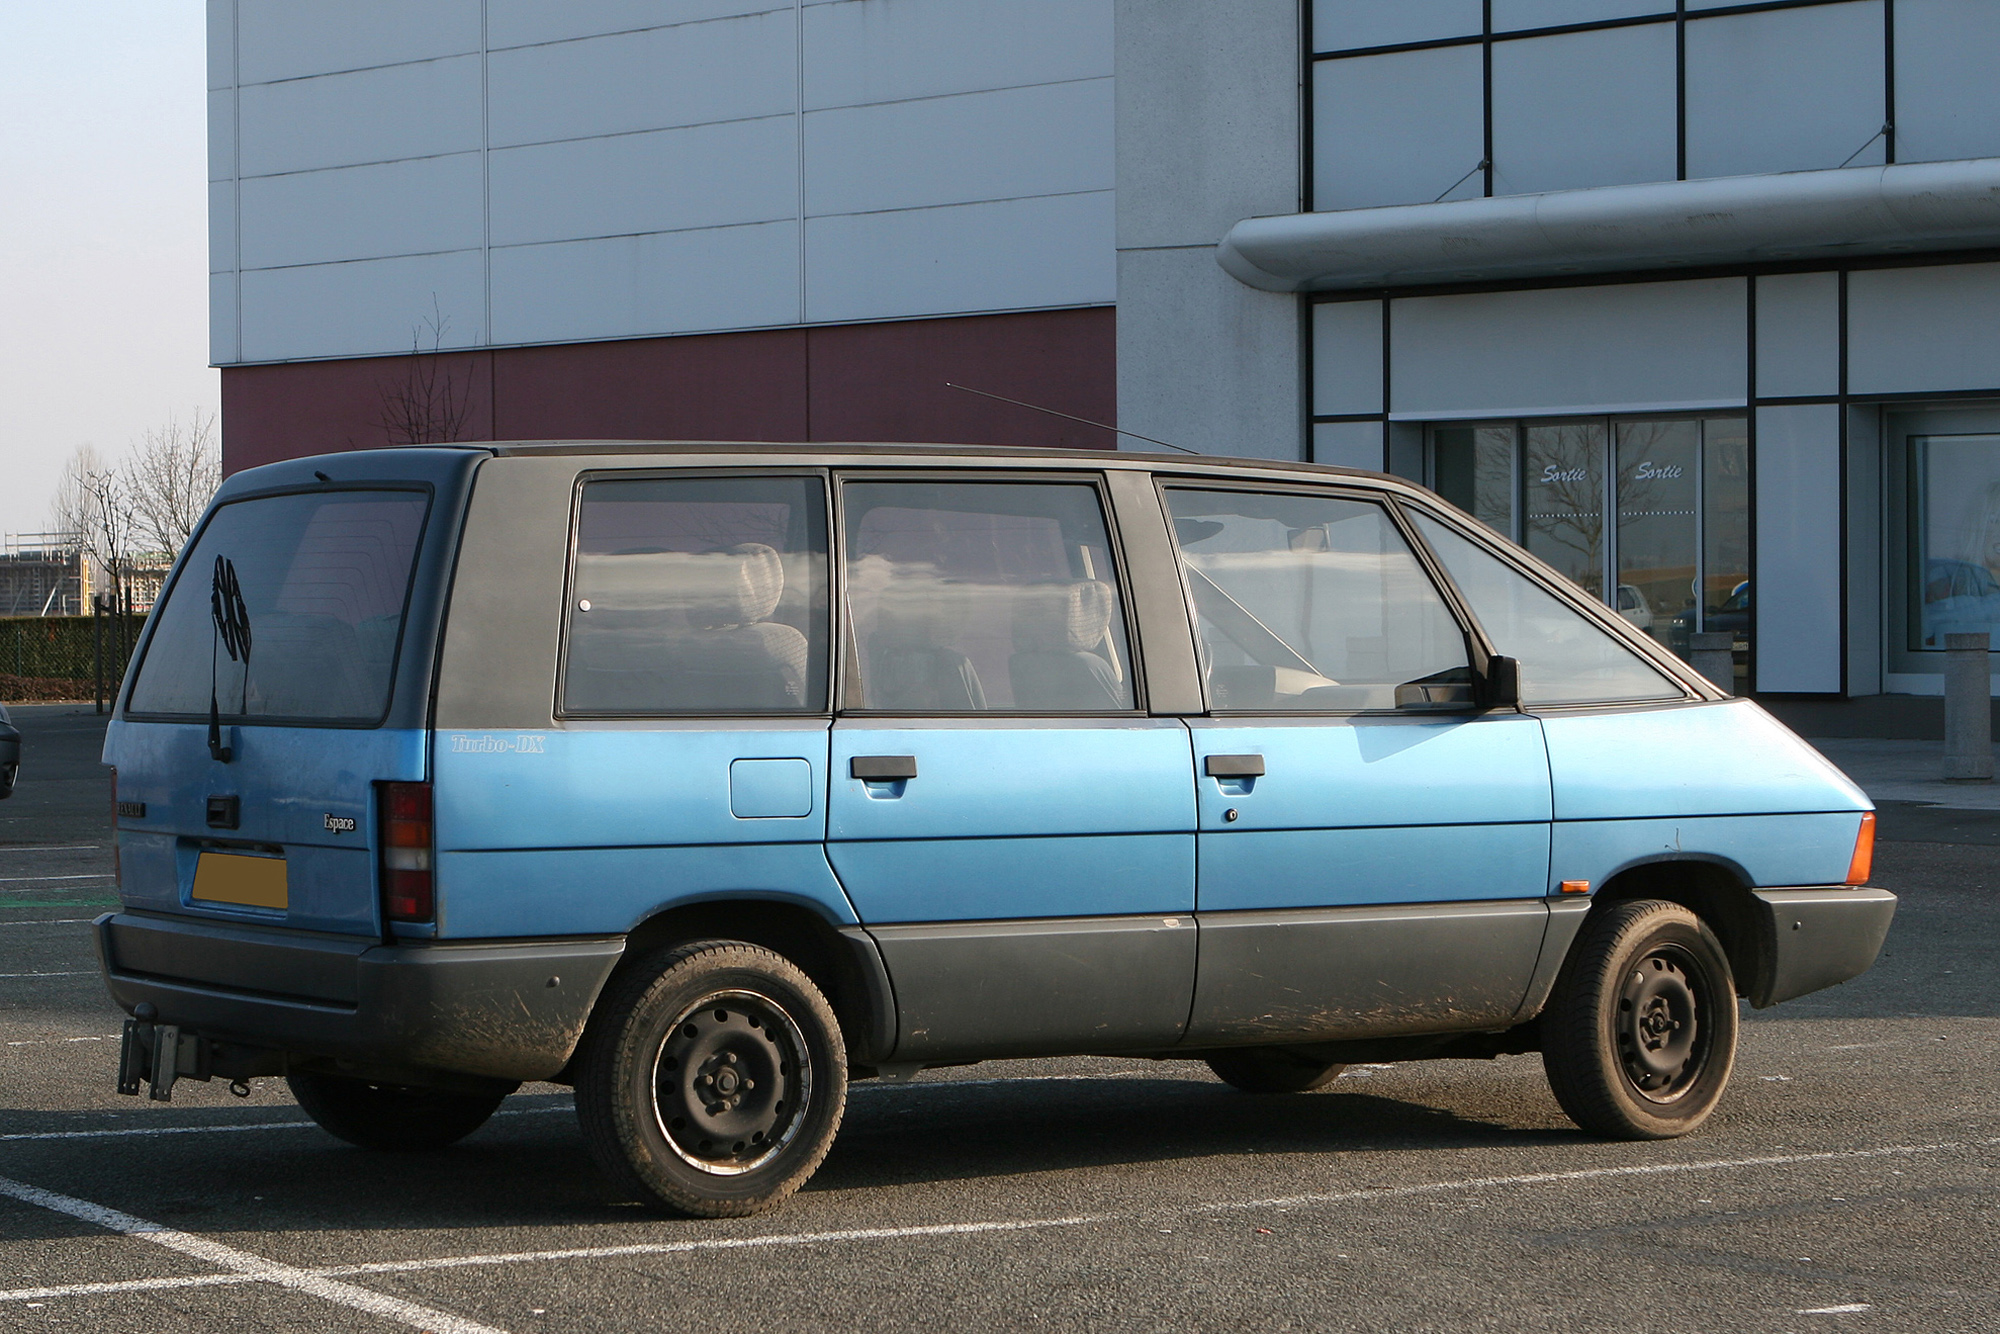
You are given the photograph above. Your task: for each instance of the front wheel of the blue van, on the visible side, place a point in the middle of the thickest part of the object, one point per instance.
(1641, 1033)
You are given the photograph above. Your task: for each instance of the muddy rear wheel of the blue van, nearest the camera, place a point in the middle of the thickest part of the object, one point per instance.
(713, 1079)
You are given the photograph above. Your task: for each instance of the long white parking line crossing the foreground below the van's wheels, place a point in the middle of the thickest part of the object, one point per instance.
(973, 1229)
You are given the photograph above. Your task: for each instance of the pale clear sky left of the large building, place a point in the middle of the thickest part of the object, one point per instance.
(103, 233)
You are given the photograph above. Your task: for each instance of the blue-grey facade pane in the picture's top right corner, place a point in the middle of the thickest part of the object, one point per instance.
(1947, 95)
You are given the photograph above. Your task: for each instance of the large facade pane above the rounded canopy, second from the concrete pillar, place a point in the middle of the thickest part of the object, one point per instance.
(1585, 109)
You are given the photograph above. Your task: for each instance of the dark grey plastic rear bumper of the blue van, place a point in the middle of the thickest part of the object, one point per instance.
(509, 1011)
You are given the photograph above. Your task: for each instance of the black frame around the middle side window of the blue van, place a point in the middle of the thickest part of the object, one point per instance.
(847, 665)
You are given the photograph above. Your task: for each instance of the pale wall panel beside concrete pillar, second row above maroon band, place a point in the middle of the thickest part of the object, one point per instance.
(1051, 139)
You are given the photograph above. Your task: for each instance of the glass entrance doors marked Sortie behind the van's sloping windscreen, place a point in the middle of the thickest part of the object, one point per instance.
(1651, 515)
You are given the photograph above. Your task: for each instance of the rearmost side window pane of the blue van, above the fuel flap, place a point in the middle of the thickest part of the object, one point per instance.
(699, 597)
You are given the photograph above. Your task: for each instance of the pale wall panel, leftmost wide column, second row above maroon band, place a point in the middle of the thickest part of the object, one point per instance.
(363, 213)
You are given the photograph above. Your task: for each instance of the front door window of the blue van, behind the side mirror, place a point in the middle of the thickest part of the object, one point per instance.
(1313, 603)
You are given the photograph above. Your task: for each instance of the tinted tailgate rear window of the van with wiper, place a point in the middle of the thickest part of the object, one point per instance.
(311, 593)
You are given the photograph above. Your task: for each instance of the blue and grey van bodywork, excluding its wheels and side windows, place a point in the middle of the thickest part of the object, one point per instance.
(1157, 875)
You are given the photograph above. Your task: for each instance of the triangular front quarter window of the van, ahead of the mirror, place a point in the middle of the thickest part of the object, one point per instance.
(1563, 657)
